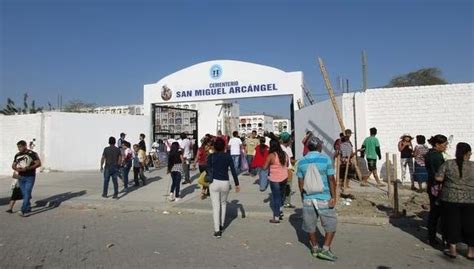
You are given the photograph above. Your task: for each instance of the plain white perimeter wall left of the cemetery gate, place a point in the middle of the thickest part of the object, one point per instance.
(66, 141)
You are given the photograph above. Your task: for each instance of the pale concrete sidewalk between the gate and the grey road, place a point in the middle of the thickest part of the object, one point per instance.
(83, 190)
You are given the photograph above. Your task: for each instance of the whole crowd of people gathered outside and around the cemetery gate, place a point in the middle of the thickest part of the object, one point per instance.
(269, 158)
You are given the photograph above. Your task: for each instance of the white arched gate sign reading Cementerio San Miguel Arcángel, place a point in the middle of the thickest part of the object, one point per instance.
(224, 79)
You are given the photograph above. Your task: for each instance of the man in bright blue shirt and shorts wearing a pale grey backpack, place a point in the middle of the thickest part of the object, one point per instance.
(318, 190)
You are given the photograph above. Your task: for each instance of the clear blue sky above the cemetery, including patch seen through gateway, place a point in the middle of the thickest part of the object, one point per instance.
(104, 51)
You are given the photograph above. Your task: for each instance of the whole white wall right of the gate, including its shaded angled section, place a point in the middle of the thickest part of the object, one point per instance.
(422, 110)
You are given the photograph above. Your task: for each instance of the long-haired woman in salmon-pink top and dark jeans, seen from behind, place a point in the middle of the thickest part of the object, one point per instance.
(277, 163)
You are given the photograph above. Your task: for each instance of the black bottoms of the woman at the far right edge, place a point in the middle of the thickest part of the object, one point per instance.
(458, 222)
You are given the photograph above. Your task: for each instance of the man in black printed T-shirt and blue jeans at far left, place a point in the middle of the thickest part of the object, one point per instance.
(25, 163)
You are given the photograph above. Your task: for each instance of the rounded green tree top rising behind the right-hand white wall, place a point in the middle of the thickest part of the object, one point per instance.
(421, 77)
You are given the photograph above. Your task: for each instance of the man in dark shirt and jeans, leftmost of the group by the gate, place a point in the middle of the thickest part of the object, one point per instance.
(112, 158)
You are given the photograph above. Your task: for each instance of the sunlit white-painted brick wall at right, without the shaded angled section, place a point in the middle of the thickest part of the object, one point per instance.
(425, 110)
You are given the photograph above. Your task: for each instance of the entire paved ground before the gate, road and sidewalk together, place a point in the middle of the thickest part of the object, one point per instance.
(72, 226)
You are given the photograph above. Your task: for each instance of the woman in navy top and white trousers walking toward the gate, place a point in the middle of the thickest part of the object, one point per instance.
(218, 164)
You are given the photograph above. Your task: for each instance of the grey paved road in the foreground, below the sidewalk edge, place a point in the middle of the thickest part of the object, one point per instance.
(62, 237)
